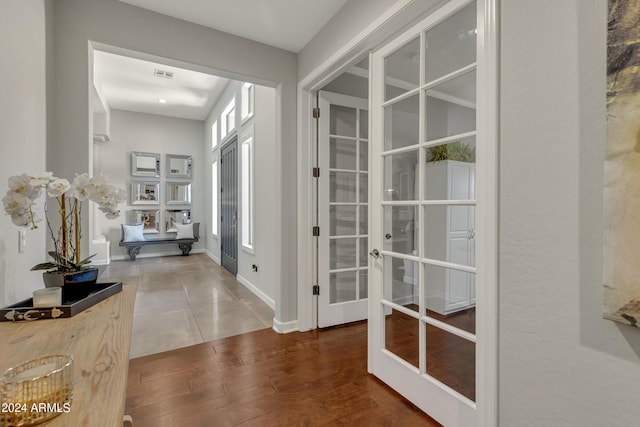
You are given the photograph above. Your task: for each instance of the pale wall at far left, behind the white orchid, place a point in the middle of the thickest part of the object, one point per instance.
(22, 136)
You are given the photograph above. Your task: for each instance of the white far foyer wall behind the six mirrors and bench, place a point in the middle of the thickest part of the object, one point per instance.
(153, 134)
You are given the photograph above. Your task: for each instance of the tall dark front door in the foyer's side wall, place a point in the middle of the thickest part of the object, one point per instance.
(229, 206)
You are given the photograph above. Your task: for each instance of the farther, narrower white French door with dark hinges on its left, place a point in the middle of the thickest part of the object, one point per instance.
(343, 156)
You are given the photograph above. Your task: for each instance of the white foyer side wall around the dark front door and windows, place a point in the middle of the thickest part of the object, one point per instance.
(262, 282)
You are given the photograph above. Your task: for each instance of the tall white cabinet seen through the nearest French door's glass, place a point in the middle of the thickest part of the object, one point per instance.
(449, 236)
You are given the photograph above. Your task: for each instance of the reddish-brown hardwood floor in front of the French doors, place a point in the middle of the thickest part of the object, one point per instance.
(316, 378)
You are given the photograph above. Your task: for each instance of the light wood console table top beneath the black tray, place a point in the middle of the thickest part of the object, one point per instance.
(99, 339)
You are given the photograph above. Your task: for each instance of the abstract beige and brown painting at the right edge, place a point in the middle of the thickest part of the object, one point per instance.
(621, 269)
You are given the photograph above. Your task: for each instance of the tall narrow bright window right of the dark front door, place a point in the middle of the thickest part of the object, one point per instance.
(247, 189)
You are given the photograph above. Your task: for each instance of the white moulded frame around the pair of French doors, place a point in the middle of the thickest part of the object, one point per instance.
(392, 22)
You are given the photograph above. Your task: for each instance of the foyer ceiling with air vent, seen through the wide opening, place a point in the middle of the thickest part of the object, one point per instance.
(131, 84)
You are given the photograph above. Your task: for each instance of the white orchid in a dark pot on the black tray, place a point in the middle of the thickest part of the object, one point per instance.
(68, 266)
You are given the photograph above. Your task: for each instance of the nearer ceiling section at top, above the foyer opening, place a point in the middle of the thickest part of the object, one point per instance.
(287, 24)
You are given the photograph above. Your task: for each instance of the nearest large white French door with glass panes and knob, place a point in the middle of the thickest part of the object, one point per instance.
(422, 214)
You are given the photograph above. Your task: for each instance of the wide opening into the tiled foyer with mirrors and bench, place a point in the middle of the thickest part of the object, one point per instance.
(196, 288)
